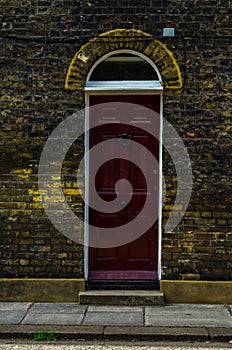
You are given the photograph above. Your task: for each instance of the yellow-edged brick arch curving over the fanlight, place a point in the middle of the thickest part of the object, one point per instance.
(123, 39)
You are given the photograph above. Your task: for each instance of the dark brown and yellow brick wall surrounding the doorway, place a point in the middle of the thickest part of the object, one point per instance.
(39, 39)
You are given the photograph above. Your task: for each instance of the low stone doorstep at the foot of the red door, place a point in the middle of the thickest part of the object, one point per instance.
(121, 297)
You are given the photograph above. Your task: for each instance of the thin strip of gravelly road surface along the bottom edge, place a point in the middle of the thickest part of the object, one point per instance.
(15, 345)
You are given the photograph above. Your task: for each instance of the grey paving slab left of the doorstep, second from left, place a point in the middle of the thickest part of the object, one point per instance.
(53, 319)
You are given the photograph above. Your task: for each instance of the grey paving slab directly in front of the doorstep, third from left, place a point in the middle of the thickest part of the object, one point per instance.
(113, 318)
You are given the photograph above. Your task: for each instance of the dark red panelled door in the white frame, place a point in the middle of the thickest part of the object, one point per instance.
(136, 260)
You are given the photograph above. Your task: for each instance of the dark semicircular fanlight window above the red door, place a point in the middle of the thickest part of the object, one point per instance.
(123, 67)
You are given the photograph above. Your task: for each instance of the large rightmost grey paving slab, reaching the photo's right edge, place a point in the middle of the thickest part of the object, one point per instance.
(188, 315)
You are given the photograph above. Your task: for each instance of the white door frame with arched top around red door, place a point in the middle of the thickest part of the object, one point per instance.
(102, 88)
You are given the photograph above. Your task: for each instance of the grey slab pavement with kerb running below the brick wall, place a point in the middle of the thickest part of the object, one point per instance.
(195, 322)
